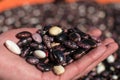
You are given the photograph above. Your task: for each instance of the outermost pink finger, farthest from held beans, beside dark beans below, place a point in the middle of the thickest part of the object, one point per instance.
(110, 49)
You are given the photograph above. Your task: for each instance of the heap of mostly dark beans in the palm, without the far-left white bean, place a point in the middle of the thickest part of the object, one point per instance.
(52, 48)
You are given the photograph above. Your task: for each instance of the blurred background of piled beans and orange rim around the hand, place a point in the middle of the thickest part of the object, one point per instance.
(103, 14)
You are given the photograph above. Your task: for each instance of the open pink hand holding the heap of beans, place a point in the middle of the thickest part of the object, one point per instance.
(12, 67)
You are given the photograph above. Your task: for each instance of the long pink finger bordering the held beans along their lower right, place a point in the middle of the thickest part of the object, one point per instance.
(78, 66)
